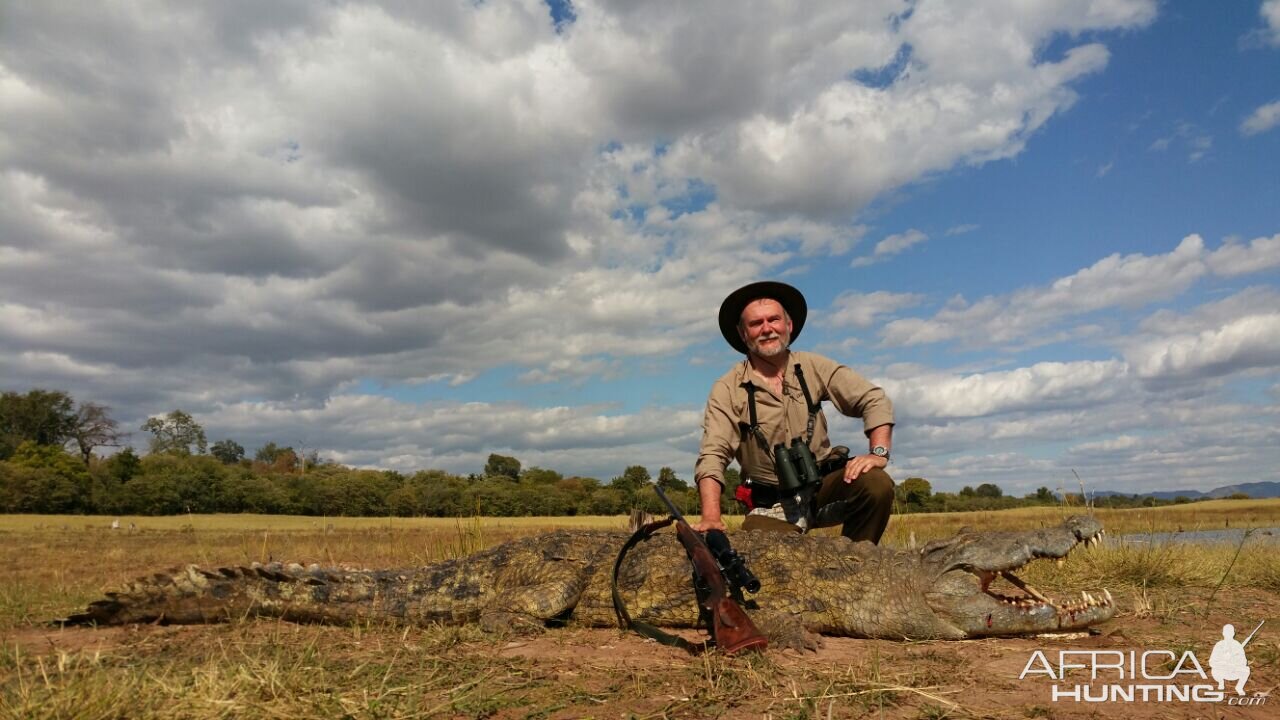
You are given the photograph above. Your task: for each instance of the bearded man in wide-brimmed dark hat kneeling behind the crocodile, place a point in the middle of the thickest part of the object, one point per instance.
(766, 413)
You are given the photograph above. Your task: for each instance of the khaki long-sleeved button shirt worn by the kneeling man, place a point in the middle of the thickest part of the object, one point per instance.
(781, 418)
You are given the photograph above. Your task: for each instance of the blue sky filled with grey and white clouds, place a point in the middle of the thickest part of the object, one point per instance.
(409, 235)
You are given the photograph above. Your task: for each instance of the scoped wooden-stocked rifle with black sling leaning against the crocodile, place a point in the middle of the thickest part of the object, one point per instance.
(730, 627)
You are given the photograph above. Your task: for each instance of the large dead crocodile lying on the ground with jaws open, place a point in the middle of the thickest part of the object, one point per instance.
(961, 587)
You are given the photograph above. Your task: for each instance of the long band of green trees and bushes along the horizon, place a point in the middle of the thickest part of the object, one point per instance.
(48, 464)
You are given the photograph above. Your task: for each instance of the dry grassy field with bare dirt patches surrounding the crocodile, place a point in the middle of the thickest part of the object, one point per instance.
(1173, 596)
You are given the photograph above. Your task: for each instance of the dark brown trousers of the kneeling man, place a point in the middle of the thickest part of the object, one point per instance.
(861, 508)
